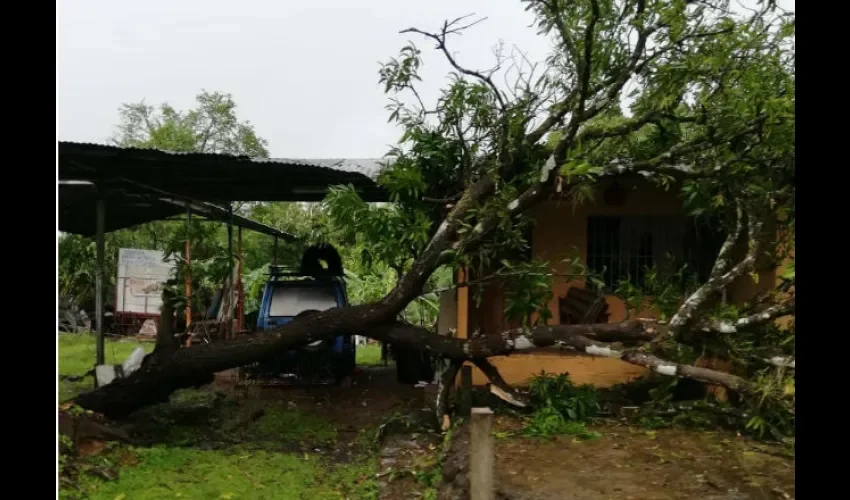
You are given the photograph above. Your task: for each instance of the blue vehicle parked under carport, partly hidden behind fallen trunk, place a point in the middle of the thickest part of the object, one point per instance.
(287, 295)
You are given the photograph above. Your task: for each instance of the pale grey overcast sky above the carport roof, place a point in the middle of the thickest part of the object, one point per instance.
(304, 73)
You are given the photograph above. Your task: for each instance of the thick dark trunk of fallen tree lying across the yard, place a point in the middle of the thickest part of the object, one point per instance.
(170, 369)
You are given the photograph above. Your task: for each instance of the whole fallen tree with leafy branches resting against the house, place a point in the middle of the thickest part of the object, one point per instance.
(470, 167)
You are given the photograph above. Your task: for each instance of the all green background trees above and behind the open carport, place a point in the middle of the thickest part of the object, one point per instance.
(214, 127)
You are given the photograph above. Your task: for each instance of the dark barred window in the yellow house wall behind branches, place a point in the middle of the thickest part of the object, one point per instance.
(624, 248)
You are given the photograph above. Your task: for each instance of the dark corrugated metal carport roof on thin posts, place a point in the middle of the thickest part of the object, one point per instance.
(142, 185)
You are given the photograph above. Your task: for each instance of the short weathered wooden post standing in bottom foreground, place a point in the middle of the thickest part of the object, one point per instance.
(481, 455)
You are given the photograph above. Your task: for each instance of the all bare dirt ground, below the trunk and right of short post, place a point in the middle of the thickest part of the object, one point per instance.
(626, 462)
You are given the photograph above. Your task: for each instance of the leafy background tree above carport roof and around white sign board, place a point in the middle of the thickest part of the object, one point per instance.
(211, 127)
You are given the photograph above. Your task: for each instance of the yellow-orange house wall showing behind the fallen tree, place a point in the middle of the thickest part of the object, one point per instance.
(560, 231)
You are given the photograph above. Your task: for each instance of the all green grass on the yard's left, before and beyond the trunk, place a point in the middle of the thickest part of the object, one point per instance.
(202, 447)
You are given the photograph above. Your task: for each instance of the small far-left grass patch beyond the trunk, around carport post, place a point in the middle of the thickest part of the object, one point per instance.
(77, 354)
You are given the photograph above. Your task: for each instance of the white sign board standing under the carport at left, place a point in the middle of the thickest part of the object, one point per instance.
(141, 276)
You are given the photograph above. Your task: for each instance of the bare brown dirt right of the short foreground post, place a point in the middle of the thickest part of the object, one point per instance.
(632, 463)
